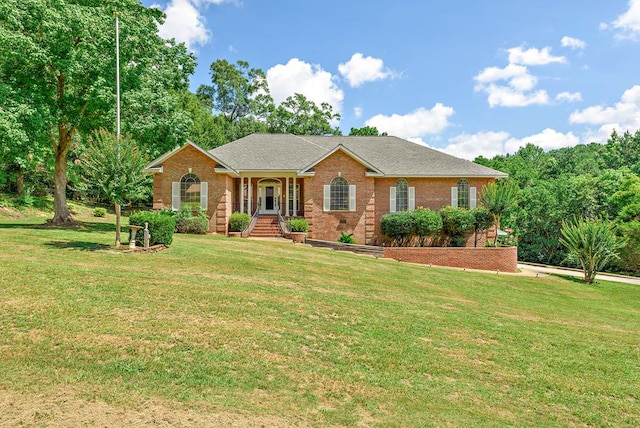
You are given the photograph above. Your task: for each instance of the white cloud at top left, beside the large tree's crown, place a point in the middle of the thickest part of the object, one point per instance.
(184, 23)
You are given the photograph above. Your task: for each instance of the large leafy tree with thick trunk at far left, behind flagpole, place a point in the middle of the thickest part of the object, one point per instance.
(67, 66)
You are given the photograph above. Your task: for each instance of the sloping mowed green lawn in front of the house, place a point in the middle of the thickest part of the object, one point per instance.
(311, 336)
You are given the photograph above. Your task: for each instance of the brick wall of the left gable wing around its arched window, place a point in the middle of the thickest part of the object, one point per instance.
(177, 166)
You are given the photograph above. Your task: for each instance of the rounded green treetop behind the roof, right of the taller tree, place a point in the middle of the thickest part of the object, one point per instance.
(301, 116)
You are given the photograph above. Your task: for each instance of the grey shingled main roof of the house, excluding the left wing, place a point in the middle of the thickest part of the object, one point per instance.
(388, 156)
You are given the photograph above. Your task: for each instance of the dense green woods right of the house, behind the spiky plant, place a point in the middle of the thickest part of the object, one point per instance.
(591, 181)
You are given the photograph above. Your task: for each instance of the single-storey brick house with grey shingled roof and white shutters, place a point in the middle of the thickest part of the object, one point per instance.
(338, 184)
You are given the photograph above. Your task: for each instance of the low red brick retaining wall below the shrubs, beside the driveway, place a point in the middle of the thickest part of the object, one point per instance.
(503, 259)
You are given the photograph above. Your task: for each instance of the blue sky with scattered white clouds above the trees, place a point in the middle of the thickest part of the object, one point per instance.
(466, 77)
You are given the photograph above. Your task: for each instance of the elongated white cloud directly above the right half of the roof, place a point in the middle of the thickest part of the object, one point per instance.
(416, 124)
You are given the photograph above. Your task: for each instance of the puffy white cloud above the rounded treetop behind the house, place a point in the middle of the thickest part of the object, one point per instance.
(310, 80)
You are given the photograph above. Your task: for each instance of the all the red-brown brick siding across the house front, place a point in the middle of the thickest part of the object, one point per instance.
(372, 194)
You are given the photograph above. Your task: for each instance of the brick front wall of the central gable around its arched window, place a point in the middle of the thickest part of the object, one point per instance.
(326, 225)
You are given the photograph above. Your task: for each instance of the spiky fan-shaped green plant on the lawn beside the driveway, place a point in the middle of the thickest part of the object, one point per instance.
(592, 243)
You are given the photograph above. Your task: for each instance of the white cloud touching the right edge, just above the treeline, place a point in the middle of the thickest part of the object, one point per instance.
(623, 116)
